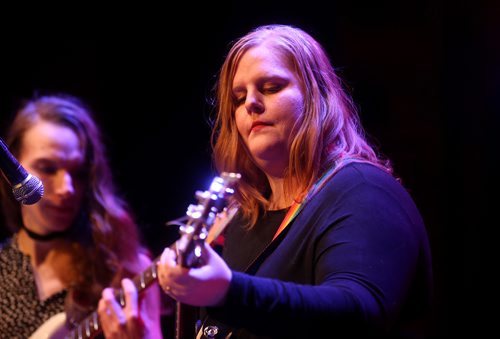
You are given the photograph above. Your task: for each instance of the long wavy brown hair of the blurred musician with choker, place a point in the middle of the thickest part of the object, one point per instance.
(104, 239)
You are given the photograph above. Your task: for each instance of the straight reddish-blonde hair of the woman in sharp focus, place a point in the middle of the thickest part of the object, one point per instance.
(328, 133)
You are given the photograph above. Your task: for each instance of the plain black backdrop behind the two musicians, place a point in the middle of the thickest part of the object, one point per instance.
(423, 73)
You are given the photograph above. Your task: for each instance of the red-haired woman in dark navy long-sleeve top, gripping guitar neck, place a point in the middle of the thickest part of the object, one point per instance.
(327, 242)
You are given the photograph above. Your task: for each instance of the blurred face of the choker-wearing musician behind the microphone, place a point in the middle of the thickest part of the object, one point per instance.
(52, 153)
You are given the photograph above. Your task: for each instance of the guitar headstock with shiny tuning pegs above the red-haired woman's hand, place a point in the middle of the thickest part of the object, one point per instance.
(201, 217)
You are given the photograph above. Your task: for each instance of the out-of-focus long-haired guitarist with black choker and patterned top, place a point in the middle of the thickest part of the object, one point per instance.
(78, 239)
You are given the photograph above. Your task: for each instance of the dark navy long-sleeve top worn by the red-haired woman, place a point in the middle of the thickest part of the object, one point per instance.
(355, 262)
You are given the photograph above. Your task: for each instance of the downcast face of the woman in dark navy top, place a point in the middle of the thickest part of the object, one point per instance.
(268, 101)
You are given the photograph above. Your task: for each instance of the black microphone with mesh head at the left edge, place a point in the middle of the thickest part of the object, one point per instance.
(27, 188)
